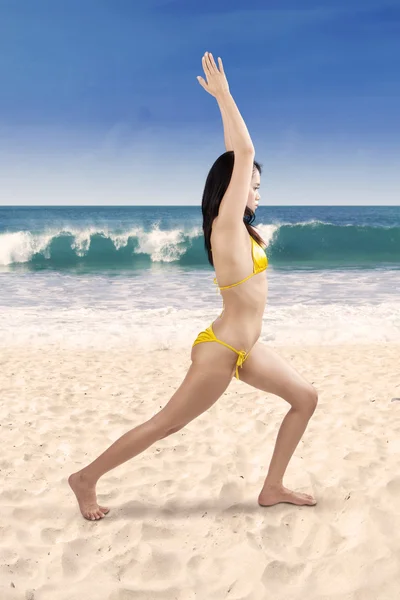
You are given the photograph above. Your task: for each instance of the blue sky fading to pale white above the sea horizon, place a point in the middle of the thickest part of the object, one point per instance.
(99, 101)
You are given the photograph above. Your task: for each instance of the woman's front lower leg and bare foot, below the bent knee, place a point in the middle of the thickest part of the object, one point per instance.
(292, 429)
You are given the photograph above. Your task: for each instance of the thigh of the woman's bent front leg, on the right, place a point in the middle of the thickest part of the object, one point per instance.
(265, 370)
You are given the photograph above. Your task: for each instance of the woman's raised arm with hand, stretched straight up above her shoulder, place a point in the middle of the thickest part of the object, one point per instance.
(235, 199)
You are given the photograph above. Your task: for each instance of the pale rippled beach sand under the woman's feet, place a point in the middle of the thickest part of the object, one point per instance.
(184, 521)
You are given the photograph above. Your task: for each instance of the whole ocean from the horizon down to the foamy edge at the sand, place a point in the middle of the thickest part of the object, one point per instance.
(138, 276)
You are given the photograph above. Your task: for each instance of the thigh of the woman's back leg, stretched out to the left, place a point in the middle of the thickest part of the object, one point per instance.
(200, 389)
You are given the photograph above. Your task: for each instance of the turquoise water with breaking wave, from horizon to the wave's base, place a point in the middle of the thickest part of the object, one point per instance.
(88, 239)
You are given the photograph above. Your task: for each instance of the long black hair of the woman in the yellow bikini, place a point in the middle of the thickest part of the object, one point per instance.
(216, 185)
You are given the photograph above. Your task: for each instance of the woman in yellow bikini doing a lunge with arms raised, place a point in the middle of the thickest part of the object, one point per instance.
(229, 201)
